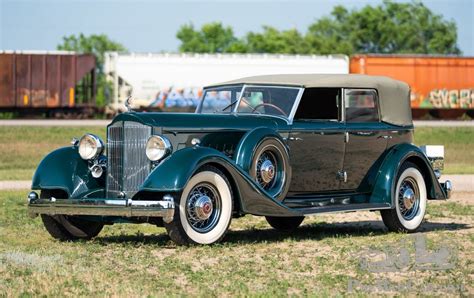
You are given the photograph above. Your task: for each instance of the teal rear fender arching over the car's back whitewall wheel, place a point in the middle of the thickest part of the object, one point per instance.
(387, 175)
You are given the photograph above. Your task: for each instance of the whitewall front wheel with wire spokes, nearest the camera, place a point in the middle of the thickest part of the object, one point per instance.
(204, 210)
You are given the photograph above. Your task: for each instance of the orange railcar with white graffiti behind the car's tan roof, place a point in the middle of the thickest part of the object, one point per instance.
(443, 85)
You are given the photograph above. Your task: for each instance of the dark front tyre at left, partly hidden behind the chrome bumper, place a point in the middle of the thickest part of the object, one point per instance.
(69, 228)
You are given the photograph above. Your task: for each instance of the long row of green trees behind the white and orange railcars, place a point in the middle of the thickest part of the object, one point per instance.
(386, 28)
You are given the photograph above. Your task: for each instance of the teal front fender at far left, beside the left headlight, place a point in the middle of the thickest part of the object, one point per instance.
(64, 169)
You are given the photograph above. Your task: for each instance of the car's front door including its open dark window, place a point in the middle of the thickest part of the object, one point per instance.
(316, 142)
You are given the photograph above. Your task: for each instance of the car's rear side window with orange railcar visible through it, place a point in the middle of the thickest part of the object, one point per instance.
(361, 105)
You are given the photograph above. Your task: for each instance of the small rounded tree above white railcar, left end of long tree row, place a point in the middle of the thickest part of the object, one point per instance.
(211, 38)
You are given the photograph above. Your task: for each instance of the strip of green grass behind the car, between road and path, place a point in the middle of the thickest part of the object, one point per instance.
(22, 148)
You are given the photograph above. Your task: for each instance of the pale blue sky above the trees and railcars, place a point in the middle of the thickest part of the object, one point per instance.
(151, 26)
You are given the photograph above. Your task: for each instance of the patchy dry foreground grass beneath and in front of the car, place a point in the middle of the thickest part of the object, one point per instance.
(324, 257)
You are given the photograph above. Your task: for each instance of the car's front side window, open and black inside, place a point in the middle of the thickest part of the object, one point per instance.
(319, 104)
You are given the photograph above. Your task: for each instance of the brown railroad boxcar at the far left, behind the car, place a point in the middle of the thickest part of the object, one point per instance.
(57, 82)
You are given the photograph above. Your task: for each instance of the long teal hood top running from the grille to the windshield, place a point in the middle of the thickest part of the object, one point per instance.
(192, 121)
